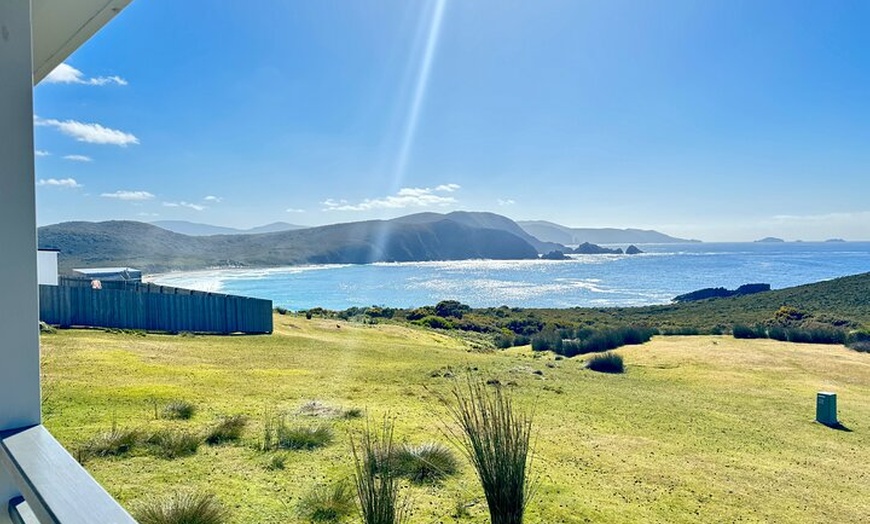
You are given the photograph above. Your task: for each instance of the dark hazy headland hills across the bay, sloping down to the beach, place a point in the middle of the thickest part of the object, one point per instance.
(425, 236)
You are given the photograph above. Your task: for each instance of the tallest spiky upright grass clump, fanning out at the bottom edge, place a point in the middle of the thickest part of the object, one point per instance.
(496, 438)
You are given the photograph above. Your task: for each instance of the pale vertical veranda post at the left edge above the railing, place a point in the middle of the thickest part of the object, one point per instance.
(19, 307)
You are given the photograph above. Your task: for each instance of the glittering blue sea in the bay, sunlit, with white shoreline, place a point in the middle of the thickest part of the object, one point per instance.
(654, 277)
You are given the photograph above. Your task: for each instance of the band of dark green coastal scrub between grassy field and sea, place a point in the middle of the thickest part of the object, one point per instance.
(824, 312)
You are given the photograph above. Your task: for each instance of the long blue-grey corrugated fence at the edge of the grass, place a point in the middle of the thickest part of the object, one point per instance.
(153, 308)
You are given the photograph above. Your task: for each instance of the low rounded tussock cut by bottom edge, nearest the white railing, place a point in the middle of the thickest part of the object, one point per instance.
(182, 508)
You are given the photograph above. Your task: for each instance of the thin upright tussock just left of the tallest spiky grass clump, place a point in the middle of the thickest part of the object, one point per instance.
(376, 477)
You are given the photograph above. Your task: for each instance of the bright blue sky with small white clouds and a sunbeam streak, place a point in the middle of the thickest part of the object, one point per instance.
(718, 120)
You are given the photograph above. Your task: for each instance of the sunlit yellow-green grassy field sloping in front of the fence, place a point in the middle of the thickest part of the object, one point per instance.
(698, 429)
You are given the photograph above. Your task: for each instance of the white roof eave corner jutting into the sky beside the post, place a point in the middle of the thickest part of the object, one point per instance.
(59, 28)
